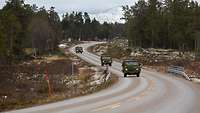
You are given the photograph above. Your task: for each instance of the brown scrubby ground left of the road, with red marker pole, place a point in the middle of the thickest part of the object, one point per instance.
(24, 85)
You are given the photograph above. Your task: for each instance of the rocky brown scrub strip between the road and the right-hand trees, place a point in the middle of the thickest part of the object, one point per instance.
(158, 59)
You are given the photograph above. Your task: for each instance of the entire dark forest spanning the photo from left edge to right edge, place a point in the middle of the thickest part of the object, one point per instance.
(170, 24)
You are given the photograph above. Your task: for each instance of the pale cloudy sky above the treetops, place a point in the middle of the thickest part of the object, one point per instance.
(102, 10)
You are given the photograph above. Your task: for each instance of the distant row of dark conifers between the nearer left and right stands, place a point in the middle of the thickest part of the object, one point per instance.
(80, 25)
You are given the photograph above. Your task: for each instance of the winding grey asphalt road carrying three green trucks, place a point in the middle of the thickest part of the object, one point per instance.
(153, 92)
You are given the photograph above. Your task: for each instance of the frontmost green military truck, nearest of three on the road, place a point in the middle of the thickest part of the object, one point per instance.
(131, 67)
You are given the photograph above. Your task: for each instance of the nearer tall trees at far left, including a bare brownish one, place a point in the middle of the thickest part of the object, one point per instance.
(24, 26)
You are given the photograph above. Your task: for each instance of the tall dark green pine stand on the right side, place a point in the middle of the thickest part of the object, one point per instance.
(169, 24)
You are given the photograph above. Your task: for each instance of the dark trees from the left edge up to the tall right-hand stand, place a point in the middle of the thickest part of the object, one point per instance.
(25, 27)
